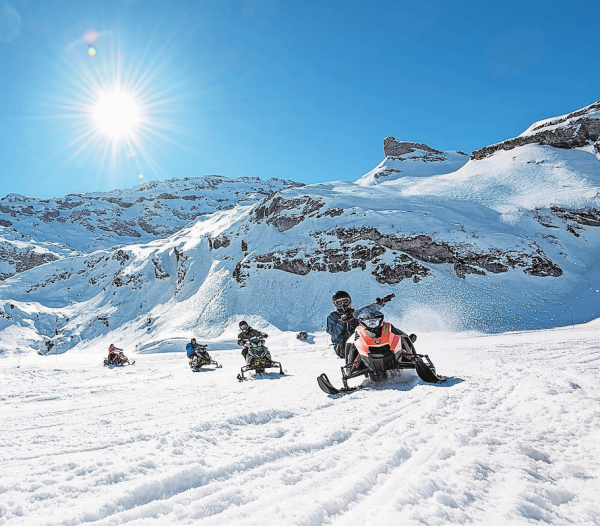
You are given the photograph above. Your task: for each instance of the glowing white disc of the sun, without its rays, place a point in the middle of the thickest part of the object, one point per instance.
(117, 114)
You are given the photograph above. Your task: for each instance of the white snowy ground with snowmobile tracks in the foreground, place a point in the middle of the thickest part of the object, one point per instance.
(511, 438)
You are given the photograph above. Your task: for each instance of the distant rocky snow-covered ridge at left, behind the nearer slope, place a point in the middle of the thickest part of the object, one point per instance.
(34, 231)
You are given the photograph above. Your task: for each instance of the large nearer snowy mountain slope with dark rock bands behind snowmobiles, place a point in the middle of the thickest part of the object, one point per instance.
(508, 240)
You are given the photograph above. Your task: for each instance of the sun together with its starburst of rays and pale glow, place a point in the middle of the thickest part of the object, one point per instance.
(117, 105)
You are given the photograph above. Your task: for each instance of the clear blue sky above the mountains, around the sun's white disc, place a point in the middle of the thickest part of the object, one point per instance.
(304, 90)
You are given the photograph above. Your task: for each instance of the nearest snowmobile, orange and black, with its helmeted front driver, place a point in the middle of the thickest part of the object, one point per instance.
(379, 354)
